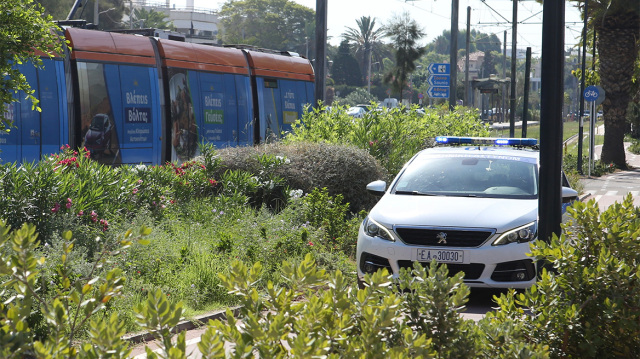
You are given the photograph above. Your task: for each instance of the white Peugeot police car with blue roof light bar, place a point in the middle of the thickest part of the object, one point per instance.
(472, 204)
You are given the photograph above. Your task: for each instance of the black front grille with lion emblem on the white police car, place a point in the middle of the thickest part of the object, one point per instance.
(433, 237)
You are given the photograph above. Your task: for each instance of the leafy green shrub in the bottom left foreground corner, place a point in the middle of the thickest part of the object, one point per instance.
(66, 309)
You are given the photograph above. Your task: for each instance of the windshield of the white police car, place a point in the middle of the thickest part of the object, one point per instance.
(485, 176)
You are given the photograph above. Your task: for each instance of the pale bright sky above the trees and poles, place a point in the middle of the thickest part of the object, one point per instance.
(489, 16)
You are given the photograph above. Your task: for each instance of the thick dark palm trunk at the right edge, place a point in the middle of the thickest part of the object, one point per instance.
(617, 54)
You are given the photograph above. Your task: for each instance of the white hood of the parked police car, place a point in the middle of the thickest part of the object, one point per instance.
(447, 211)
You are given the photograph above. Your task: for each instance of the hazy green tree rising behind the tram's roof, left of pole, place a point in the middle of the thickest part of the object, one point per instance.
(273, 24)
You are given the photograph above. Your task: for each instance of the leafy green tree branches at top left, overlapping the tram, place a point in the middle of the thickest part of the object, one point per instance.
(24, 29)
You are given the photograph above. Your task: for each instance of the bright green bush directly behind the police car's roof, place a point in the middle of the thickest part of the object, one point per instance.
(391, 136)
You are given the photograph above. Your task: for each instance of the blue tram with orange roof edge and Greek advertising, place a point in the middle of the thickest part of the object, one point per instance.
(132, 99)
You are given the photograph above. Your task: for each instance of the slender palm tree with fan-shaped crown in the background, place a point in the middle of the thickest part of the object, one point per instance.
(365, 38)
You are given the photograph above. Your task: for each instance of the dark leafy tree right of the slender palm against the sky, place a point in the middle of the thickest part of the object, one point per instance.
(405, 34)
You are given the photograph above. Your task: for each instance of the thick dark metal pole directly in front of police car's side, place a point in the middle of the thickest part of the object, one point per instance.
(551, 95)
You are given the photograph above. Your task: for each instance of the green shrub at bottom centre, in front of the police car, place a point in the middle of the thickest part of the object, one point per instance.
(414, 316)
